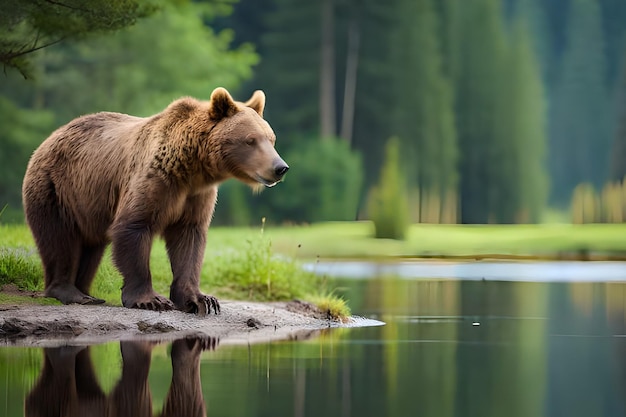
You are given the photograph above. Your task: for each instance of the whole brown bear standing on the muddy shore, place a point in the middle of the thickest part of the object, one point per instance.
(110, 177)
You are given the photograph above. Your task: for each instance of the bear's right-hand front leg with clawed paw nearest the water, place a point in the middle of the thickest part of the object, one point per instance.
(185, 246)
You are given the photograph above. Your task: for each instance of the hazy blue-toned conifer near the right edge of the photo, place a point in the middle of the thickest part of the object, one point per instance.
(580, 120)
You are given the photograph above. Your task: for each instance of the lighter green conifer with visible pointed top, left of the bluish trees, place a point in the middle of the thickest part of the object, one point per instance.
(523, 181)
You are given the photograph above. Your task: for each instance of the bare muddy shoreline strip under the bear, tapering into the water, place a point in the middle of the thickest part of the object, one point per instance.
(239, 322)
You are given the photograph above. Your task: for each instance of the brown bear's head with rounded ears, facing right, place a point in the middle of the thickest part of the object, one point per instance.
(245, 140)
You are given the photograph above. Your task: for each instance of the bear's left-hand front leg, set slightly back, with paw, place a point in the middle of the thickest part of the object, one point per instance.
(132, 242)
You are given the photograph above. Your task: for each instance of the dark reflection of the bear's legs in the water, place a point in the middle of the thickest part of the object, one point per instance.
(68, 386)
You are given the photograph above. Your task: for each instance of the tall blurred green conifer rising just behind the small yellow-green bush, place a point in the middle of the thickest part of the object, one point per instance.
(423, 105)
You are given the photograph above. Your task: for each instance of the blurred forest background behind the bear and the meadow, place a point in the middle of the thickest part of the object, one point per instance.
(501, 108)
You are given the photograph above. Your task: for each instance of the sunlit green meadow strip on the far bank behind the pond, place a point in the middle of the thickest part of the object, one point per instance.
(354, 240)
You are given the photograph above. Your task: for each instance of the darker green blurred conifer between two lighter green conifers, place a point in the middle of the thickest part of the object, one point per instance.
(479, 70)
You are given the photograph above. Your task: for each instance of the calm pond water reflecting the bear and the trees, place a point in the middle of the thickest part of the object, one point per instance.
(454, 345)
